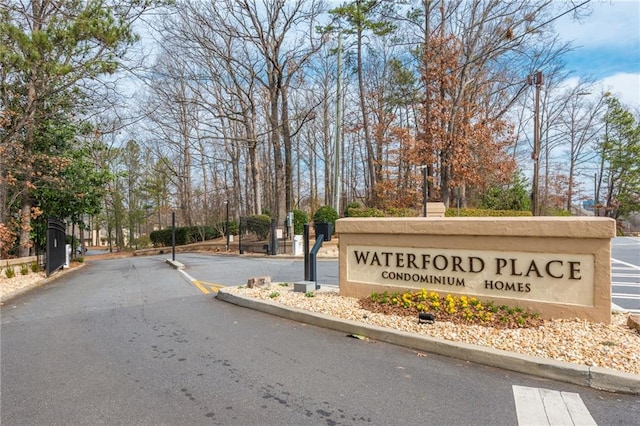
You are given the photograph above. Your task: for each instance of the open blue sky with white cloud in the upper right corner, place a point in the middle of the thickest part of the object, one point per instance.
(607, 47)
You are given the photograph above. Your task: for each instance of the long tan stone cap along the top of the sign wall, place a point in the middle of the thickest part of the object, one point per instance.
(539, 226)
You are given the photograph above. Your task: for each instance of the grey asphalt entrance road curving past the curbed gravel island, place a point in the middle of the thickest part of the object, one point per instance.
(130, 341)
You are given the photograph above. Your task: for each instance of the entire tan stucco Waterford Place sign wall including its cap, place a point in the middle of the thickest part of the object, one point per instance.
(559, 267)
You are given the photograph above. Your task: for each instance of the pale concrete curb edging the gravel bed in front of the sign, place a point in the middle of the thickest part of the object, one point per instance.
(593, 377)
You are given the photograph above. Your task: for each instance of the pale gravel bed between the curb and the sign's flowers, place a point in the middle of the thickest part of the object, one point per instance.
(614, 346)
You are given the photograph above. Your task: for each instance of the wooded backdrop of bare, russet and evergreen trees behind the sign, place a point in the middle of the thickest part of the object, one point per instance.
(238, 119)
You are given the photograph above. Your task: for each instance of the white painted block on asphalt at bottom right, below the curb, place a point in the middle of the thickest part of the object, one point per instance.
(537, 407)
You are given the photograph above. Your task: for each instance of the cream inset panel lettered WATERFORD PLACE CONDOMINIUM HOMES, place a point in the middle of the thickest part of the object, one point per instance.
(549, 277)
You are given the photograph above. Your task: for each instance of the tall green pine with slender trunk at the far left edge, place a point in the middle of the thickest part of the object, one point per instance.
(50, 53)
